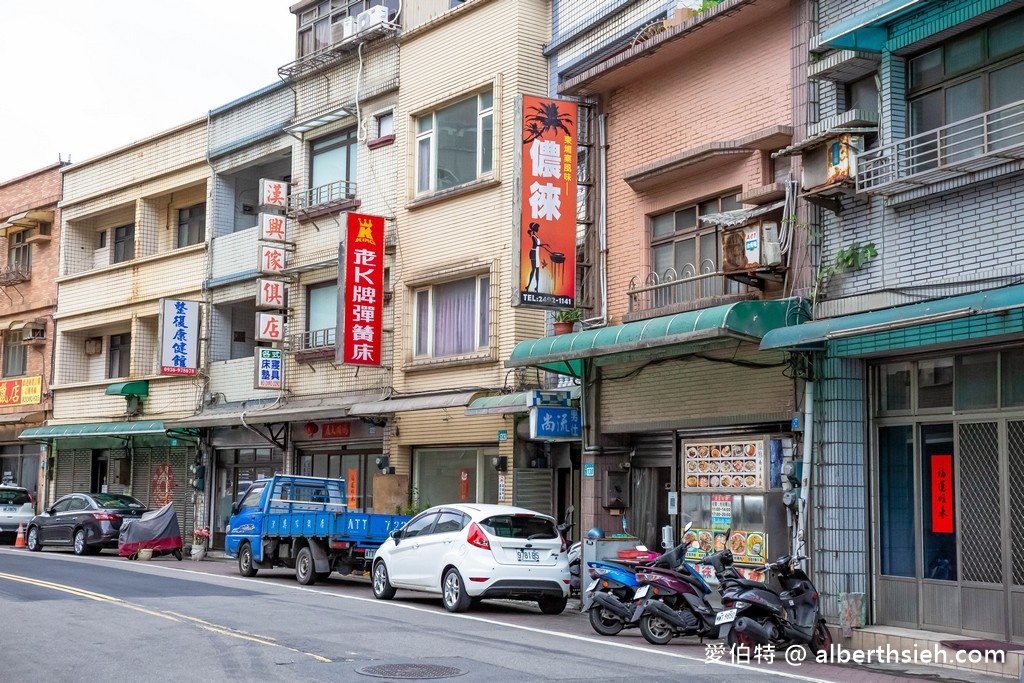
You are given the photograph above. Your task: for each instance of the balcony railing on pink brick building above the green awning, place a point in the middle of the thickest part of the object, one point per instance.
(681, 291)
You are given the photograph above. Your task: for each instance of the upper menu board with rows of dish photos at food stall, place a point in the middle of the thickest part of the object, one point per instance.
(724, 465)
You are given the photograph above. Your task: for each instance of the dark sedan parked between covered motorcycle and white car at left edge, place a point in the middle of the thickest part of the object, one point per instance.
(89, 523)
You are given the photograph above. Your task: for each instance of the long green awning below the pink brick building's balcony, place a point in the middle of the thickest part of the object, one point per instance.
(691, 332)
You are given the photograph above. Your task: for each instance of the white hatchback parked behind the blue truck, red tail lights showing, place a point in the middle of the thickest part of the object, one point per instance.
(468, 552)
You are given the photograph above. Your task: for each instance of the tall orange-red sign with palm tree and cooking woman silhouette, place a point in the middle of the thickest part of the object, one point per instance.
(548, 204)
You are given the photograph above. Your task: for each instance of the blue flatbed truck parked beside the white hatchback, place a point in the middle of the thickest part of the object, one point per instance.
(305, 524)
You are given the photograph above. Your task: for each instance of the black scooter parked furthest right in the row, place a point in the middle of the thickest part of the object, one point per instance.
(755, 614)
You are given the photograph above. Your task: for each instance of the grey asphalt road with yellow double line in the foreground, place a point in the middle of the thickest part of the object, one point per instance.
(103, 618)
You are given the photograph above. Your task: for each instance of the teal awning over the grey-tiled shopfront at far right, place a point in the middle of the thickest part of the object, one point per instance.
(941, 321)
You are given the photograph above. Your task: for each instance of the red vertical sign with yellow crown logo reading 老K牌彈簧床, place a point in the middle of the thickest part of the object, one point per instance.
(360, 329)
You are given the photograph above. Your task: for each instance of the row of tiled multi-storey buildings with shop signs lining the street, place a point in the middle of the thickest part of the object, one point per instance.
(793, 271)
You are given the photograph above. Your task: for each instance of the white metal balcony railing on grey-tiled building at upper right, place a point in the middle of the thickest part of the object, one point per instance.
(982, 142)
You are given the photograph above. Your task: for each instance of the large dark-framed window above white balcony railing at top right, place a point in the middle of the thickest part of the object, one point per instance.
(971, 74)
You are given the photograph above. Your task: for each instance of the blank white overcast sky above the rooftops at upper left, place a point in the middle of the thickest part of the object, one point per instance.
(84, 77)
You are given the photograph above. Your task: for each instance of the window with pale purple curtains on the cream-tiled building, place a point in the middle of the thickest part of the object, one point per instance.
(454, 318)
